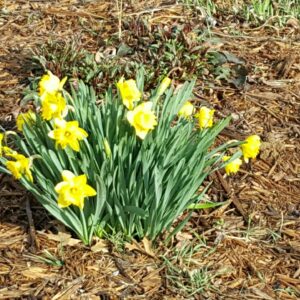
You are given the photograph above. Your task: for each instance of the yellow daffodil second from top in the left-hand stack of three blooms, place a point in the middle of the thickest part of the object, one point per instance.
(53, 106)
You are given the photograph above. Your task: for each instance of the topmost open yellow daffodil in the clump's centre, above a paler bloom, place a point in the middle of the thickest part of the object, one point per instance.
(129, 92)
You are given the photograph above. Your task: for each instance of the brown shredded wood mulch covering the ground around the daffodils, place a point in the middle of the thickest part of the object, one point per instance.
(252, 244)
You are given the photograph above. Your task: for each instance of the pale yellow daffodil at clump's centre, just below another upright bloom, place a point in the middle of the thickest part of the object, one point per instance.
(142, 119)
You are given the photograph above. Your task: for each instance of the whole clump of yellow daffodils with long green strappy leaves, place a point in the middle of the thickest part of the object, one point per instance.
(130, 163)
